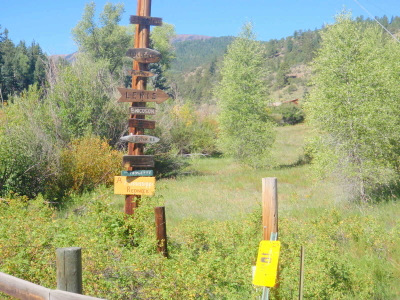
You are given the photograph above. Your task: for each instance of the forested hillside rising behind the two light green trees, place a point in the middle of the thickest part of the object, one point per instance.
(196, 68)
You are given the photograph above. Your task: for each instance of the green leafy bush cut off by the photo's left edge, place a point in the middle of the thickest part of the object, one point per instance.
(28, 151)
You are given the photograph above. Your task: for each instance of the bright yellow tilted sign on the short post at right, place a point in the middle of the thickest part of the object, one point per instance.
(267, 263)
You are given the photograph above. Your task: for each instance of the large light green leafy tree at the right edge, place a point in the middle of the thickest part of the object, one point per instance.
(354, 105)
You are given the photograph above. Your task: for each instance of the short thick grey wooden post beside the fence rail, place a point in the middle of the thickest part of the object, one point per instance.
(69, 269)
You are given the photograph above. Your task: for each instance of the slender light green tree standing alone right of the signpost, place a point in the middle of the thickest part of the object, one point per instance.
(246, 133)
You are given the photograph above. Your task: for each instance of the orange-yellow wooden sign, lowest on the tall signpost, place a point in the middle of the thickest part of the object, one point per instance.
(126, 185)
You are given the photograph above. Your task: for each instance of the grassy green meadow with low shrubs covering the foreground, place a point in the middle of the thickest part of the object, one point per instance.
(214, 227)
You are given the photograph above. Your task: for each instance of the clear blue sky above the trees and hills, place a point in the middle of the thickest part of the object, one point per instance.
(49, 22)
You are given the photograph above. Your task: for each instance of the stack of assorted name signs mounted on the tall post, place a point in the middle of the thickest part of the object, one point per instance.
(140, 181)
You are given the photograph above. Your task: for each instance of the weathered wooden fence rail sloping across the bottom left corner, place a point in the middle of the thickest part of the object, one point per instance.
(25, 290)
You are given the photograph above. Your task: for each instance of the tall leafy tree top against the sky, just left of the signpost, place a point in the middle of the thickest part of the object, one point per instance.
(107, 40)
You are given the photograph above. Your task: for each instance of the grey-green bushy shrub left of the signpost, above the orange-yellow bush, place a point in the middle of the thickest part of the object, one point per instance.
(82, 97)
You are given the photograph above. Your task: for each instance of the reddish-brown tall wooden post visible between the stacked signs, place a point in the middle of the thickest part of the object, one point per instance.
(142, 37)
